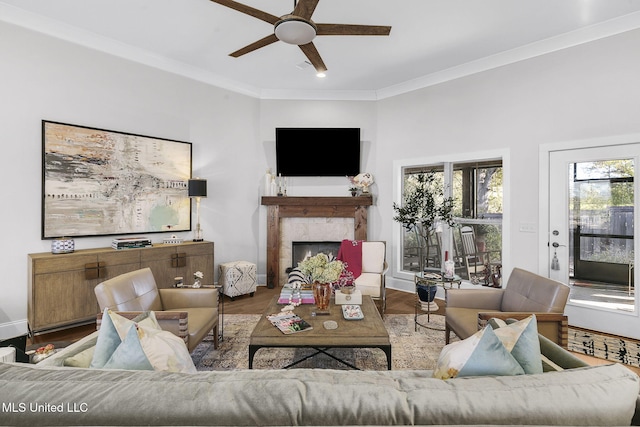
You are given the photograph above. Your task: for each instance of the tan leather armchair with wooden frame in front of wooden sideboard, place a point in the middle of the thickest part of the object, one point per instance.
(189, 313)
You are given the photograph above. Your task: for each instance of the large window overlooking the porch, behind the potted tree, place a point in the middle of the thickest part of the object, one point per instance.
(475, 242)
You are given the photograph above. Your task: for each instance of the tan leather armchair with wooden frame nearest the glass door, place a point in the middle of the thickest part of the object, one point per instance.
(467, 310)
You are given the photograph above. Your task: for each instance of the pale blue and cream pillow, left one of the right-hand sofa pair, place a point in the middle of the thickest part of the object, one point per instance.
(480, 354)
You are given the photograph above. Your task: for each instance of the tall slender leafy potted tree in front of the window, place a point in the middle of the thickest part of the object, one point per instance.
(423, 208)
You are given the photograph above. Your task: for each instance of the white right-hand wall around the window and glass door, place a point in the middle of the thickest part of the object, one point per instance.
(587, 91)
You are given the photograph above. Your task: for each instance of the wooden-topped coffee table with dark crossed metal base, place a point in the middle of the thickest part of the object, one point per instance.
(368, 332)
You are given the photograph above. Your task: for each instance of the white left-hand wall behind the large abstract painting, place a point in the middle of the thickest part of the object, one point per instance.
(45, 78)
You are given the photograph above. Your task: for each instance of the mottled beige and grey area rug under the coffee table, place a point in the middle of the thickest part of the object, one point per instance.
(410, 349)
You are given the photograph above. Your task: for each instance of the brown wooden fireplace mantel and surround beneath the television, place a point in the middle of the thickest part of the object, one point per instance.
(310, 207)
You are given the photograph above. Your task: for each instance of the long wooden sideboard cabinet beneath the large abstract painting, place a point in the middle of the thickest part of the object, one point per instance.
(60, 287)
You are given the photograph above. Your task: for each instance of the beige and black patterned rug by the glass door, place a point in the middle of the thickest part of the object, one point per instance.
(604, 346)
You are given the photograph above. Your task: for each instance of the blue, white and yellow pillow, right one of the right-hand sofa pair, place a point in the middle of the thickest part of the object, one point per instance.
(521, 339)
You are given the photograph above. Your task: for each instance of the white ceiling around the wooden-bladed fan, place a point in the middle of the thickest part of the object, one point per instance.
(431, 40)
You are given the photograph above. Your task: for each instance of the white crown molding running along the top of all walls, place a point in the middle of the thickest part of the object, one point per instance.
(38, 23)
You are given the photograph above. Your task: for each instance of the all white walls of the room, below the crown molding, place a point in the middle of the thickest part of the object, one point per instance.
(583, 92)
